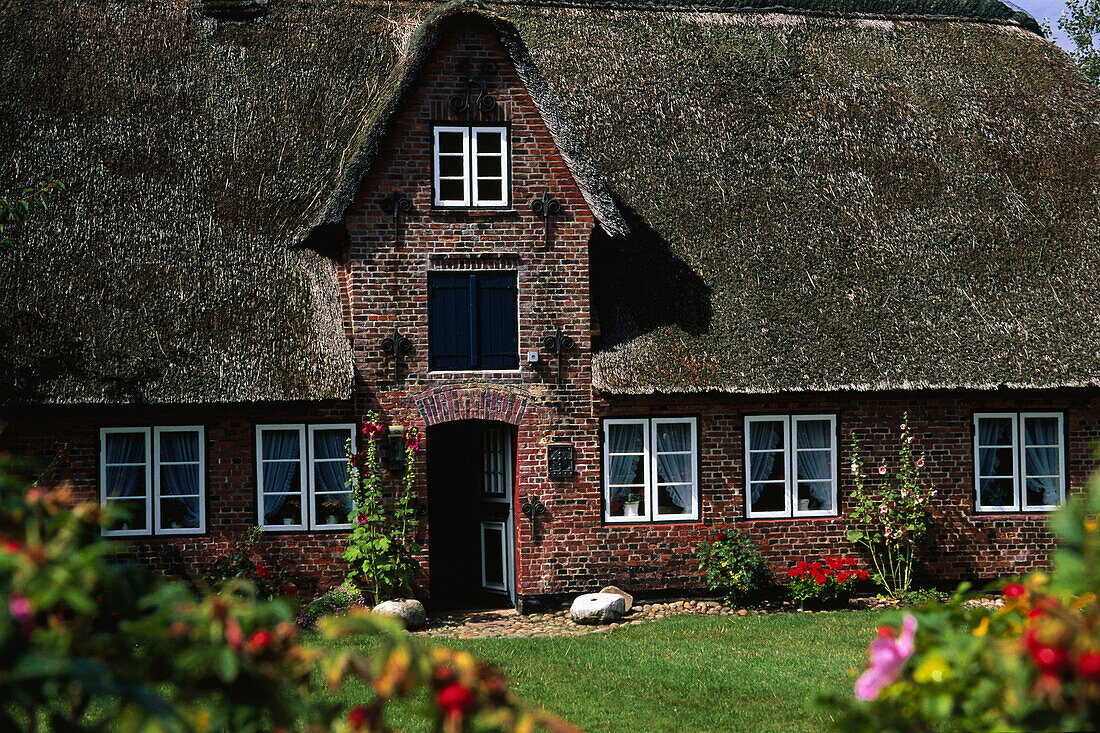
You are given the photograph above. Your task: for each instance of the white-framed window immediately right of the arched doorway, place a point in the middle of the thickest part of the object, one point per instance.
(651, 469)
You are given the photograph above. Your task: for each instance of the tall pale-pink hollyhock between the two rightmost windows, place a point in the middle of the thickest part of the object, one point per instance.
(890, 520)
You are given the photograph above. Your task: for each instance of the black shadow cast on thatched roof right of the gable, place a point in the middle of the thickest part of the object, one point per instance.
(640, 286)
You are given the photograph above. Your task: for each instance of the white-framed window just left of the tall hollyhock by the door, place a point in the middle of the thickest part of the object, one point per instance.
(302, 476)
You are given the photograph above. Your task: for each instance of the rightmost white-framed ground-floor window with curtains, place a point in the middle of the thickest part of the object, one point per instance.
(1019, 462)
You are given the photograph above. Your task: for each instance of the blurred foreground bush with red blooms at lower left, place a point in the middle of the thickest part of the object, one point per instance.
(91, 646)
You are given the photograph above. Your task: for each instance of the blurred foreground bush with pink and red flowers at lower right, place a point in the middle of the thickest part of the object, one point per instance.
(1032, 665)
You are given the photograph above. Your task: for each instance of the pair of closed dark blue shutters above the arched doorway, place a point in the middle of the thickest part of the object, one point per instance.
(472, 321)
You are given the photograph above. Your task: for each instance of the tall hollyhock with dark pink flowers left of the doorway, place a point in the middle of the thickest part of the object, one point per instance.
(382, 549)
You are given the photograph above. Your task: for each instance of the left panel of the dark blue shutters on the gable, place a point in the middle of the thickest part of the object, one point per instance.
(450, 321)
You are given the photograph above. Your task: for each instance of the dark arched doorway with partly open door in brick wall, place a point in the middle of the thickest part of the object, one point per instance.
(470, 532)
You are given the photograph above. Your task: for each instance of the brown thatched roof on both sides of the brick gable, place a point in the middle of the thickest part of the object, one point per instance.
(919, 177)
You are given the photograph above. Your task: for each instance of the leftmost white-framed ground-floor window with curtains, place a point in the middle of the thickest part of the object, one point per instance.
(155, 480)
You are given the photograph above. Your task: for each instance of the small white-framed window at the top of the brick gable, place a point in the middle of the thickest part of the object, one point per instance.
(470, 166)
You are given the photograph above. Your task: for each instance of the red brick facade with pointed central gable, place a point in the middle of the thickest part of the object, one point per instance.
(383, 279)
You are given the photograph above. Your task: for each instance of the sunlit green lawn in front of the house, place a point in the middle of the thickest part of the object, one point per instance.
(683, 674)
